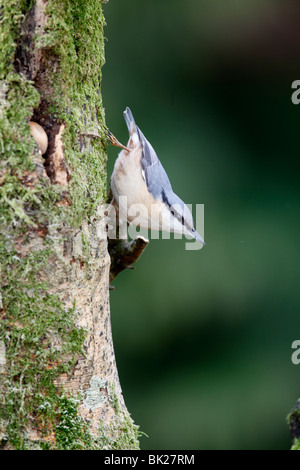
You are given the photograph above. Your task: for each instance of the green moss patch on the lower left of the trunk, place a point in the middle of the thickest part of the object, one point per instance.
(37, 333)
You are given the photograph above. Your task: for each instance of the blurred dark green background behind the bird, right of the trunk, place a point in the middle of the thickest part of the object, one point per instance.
(203, 338)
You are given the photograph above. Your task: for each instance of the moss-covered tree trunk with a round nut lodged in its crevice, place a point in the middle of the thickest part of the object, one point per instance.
(59, 381)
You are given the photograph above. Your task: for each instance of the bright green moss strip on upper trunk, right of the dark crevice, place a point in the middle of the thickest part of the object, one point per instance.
(74, 33)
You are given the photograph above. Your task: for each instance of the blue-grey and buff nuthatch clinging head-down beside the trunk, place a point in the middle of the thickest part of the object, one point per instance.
(139, 175)
